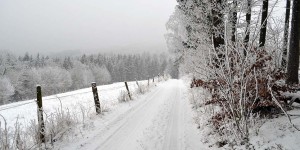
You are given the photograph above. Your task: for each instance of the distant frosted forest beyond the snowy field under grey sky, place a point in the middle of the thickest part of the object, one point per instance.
(20, 75)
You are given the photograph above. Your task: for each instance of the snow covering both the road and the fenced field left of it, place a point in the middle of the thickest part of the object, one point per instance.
(160, 119)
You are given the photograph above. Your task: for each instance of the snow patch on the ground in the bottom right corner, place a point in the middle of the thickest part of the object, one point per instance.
(278, 133)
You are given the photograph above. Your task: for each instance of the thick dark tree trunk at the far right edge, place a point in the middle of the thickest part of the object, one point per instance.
(293, 61)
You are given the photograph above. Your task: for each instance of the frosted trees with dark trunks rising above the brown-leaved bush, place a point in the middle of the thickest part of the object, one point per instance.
(198, 26)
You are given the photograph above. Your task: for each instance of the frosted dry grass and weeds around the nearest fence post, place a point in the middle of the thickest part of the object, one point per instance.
(28, 137)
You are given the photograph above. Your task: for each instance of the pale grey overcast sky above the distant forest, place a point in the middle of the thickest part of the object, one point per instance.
(87, 25)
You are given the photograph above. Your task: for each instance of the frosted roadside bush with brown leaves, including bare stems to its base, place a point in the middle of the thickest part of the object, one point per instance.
(239, 85)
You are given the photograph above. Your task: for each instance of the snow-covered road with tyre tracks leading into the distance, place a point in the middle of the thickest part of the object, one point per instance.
(161, 119)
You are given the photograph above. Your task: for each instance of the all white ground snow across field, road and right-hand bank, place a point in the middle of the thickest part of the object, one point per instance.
(163, 118)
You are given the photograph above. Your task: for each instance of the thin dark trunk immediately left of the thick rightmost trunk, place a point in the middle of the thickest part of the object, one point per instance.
(286, 33)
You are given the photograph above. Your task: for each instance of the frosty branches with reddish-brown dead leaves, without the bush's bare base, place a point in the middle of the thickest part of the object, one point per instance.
(243, 86)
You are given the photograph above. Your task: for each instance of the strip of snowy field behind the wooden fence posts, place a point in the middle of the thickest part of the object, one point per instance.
(26, 111)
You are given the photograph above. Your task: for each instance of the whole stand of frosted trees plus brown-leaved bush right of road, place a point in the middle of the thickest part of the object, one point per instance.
(240, 53)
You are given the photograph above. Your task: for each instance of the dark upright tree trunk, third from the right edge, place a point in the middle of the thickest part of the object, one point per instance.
(264, 20)
